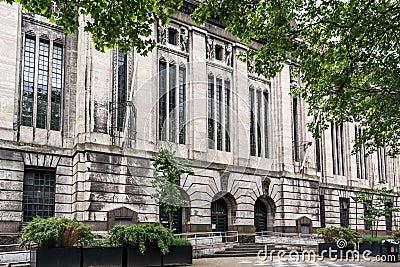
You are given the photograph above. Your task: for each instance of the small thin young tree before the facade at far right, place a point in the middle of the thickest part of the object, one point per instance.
(378, 204)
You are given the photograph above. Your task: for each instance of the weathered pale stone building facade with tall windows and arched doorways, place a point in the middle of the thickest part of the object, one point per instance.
(79, 129)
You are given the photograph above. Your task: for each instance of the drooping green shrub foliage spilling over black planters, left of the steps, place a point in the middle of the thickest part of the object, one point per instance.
(141, 235)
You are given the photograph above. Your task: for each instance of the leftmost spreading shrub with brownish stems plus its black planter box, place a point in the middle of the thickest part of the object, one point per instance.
(55, 239)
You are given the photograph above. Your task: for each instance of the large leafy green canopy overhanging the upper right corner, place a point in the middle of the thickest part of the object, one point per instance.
(347, 53)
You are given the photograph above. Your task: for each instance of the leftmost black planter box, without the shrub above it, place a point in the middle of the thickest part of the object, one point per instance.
(56, 257)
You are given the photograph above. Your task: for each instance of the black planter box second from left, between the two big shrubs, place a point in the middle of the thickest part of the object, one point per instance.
(110, 257)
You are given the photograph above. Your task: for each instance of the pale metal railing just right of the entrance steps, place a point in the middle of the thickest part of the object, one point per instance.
(298, 239)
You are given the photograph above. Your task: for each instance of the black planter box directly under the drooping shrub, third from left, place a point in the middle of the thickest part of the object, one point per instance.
(151, 257)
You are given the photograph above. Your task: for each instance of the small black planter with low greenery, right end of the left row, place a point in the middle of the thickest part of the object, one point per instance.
(180, 253)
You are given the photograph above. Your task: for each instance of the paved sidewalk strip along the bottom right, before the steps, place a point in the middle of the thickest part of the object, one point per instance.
(253, 261)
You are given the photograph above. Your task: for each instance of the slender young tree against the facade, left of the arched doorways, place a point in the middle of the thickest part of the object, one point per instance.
(167, 173)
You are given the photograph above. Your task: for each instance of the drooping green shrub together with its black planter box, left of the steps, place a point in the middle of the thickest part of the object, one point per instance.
(144, 244)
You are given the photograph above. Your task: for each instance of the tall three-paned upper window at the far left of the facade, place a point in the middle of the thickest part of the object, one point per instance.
(48, 83)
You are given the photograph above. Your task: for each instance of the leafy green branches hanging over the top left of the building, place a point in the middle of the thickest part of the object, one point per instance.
(122, 23)
